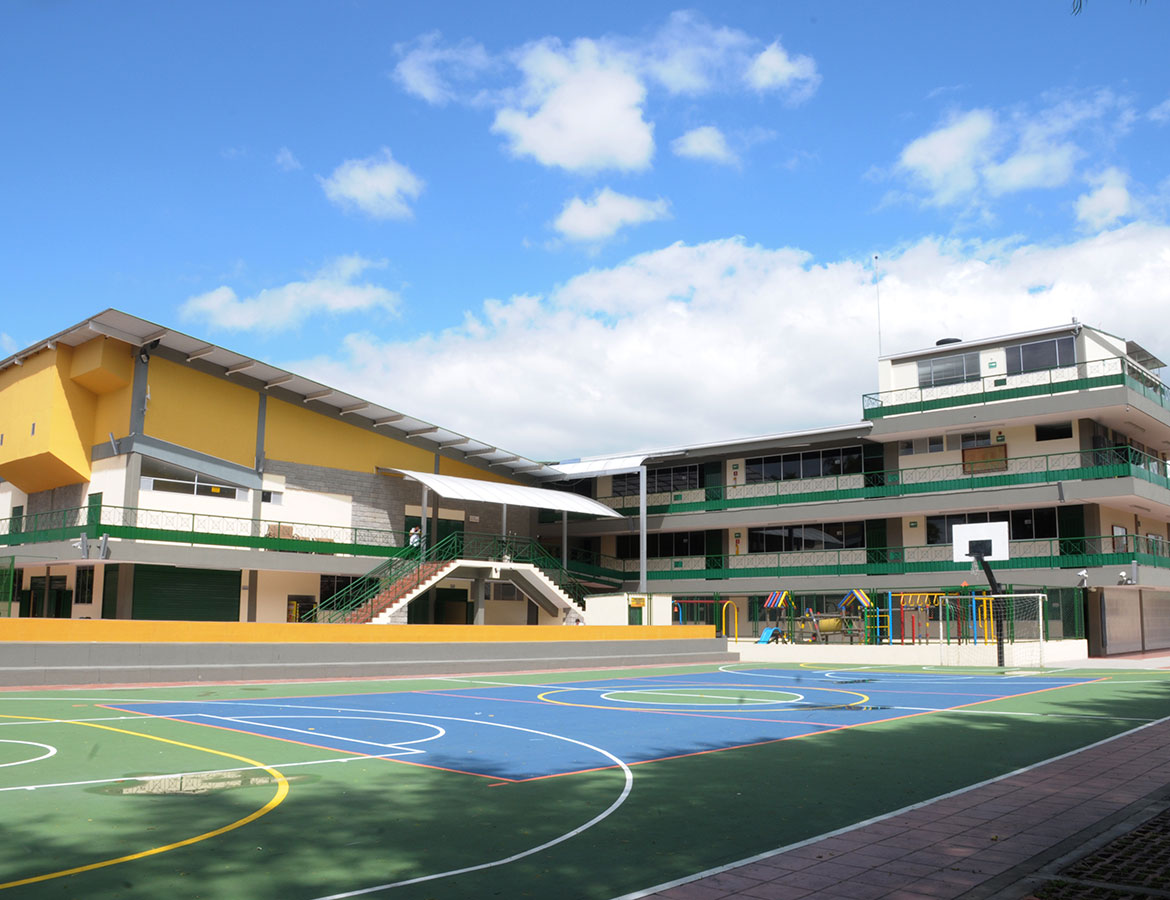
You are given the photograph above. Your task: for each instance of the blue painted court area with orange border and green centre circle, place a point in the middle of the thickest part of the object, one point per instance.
(518, 732)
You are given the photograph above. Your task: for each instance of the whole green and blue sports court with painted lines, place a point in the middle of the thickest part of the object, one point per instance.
(587, 785)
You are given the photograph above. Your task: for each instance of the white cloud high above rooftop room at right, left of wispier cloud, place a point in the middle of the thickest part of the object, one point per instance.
(948, 160)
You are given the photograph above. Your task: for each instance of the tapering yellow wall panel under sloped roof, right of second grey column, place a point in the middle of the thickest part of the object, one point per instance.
(297, 435)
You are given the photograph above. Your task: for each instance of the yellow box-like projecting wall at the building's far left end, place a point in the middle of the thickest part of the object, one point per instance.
(40, 393)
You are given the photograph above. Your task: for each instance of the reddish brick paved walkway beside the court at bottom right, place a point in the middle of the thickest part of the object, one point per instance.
(978, 844)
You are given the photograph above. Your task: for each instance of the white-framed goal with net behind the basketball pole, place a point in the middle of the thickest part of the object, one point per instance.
(1001, 630)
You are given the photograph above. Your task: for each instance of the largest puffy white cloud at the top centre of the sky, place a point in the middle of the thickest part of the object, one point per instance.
(580, 108)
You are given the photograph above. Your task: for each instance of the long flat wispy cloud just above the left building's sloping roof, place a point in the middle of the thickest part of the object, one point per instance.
(332, 291)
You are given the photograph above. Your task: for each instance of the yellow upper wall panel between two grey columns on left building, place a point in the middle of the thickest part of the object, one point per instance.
(202, 413)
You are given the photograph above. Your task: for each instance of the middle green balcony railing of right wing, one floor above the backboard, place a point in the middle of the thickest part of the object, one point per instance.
(1048, 469)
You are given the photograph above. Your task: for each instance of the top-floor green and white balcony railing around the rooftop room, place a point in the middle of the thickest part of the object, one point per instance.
(997, 388)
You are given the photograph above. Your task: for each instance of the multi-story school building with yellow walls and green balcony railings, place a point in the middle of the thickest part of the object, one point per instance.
(150, 475)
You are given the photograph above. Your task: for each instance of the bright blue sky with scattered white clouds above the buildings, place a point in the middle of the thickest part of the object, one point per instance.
(574, 229)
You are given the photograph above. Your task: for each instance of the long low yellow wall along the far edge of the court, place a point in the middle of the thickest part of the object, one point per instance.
(251, 633)
